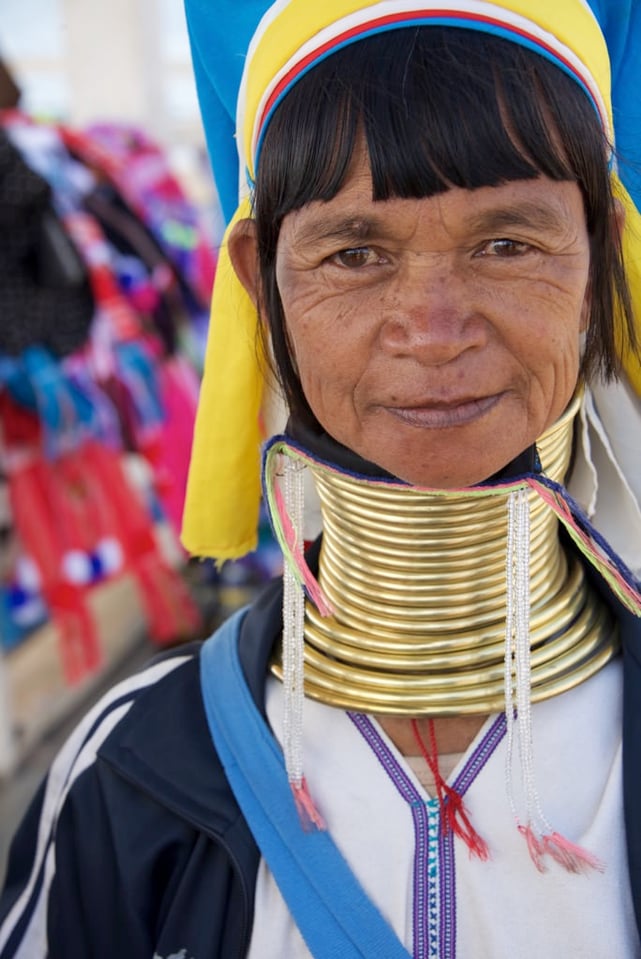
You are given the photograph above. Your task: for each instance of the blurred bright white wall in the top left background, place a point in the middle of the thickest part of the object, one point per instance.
(85, 60)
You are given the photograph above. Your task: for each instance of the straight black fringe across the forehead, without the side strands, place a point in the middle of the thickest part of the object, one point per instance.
(437, 108)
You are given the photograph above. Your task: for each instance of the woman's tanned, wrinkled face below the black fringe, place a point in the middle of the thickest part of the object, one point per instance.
(437, 337)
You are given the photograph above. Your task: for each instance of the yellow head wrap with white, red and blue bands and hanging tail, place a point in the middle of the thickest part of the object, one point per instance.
(223, 495)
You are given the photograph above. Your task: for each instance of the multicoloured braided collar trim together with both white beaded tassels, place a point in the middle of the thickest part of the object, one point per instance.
(286, 517)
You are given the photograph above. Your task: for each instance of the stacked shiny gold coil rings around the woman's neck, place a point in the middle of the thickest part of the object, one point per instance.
(416, 580)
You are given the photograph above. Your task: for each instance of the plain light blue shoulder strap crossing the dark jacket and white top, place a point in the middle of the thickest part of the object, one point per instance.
(332, 911)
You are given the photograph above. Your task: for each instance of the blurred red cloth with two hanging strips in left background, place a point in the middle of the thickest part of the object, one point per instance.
(73, 503)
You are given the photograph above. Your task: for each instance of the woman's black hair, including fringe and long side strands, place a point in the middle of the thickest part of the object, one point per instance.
(439, 108)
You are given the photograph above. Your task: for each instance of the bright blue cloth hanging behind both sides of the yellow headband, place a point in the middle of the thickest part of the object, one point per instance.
(220, 32)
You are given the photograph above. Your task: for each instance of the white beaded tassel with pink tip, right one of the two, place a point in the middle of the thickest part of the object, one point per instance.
(541, 838)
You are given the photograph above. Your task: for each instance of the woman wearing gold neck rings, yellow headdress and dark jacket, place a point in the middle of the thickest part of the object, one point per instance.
(424, 740)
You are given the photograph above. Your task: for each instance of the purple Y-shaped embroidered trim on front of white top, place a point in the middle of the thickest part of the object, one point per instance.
(434, 918)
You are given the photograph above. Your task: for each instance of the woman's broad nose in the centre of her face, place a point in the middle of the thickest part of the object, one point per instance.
(432, 315)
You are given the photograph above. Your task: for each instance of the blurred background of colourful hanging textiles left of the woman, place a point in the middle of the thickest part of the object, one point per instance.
(109, 225)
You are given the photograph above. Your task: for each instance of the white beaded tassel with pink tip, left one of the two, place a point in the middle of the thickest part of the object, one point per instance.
(293, 652)
